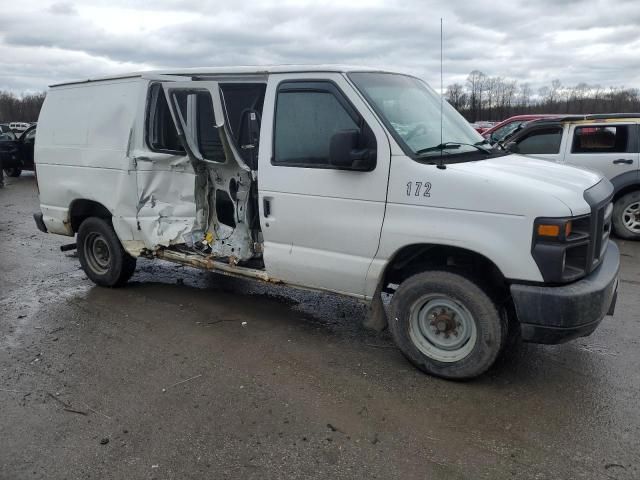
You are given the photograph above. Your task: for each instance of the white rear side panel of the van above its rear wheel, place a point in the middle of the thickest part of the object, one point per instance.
(83, 152)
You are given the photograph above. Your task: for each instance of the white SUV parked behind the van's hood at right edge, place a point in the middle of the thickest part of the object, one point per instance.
(608, 143)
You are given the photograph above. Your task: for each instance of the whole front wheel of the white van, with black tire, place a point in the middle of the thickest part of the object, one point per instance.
(482, 315)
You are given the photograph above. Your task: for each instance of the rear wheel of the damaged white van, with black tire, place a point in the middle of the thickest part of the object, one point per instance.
(101, 254)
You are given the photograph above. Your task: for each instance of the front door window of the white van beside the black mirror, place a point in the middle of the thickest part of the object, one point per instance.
(307, 115)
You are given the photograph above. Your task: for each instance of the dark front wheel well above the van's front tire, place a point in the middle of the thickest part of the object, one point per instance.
(414, 259)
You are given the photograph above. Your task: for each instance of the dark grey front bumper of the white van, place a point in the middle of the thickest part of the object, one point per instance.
(560, 314)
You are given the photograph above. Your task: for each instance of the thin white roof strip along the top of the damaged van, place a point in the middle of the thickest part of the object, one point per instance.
(238, 70)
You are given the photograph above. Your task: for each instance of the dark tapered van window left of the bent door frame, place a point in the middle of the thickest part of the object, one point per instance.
(162, 135)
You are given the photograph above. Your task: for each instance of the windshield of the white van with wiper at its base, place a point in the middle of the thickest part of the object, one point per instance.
(411, 111)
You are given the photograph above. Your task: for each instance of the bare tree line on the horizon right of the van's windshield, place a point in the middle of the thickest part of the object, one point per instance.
(483, 97)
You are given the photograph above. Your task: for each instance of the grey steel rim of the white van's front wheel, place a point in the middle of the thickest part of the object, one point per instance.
(442, 328)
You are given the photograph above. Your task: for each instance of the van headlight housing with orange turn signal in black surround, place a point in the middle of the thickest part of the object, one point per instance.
(560, 247)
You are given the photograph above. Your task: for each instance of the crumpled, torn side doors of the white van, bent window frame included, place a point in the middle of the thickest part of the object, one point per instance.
(206, 198)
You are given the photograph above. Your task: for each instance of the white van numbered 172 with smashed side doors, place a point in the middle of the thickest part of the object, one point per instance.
(349, 180)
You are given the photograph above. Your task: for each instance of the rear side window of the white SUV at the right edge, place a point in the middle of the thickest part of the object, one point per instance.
(601, 139)
